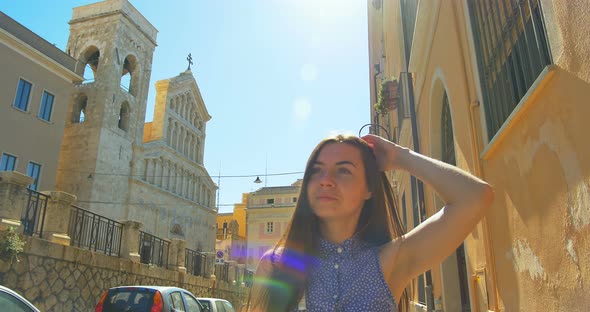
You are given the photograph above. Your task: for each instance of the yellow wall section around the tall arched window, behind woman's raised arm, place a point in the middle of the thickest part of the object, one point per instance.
(446, 70)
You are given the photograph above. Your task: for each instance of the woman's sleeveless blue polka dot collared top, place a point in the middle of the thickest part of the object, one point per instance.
(348, 277)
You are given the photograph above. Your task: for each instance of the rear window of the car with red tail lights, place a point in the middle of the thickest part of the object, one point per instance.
(129, 300)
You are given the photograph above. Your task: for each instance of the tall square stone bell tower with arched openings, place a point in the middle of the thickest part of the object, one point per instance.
(114, 46)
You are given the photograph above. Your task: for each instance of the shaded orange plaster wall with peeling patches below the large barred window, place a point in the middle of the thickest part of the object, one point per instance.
(541, 217)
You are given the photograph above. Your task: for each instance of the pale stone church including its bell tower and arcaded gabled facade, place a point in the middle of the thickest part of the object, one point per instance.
(117, 165)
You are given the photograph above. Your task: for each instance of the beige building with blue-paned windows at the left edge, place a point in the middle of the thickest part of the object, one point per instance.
(37, 81)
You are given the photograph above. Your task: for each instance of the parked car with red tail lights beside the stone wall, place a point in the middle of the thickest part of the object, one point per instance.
(148, 299)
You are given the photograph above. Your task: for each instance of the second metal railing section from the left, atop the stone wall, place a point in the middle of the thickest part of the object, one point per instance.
(94, 232)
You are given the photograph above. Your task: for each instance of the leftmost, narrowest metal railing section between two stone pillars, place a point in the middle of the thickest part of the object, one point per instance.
(33, 216)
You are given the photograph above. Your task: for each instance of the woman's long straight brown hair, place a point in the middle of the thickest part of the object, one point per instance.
(293, 255)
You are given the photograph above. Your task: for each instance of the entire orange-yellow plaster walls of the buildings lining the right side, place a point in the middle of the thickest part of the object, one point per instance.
(531, 252)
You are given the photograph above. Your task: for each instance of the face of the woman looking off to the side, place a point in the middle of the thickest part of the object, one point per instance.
(337, 187)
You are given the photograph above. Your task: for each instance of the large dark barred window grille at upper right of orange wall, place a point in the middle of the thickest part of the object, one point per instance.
(512, 50)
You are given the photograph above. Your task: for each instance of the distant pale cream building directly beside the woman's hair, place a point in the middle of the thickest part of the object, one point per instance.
(269, 211)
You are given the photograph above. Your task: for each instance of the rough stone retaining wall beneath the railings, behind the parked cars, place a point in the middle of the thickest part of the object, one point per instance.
(63, 278)
